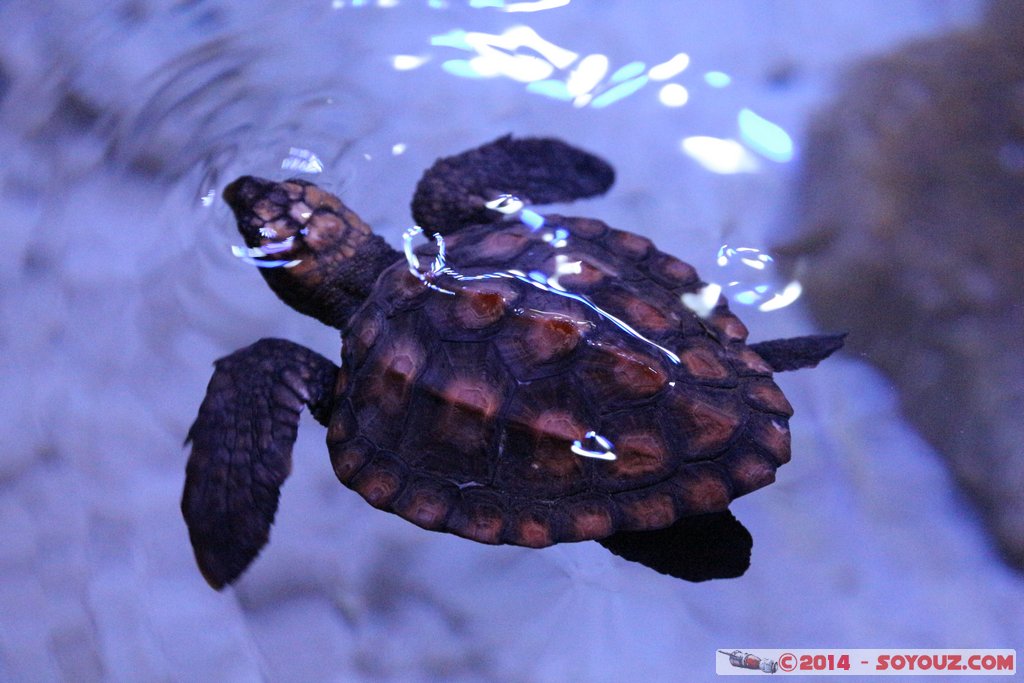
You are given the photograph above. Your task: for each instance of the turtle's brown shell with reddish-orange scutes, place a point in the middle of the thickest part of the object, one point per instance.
(459, 413)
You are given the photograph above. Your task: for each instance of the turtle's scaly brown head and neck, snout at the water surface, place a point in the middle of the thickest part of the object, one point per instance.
(314, 251)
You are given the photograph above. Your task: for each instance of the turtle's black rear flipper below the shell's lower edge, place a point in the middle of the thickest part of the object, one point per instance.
(696, 548)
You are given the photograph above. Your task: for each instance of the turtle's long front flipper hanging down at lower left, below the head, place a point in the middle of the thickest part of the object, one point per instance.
(242, 450)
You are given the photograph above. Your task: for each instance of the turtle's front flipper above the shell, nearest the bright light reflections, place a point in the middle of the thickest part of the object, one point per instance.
(454, 193)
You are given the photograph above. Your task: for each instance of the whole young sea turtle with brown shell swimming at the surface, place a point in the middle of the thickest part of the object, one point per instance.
(542, 382)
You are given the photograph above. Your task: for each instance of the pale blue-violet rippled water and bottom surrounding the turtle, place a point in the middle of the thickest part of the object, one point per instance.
(120, 123)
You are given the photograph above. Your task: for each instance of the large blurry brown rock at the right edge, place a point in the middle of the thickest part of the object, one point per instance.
(912, 236)
